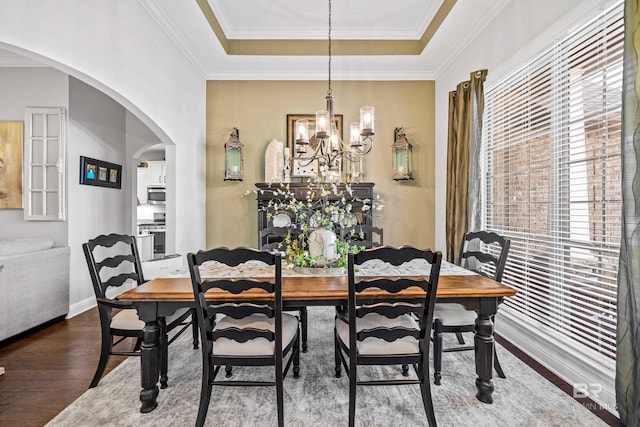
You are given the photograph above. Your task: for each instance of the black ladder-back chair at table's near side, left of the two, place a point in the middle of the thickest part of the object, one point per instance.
(240, 333)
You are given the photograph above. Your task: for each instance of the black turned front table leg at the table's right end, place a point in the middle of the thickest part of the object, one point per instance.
(484, 349)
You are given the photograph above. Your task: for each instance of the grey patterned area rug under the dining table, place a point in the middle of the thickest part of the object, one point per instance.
(317, 398)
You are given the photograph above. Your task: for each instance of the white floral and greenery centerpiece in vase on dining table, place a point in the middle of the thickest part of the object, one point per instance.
(323, 226)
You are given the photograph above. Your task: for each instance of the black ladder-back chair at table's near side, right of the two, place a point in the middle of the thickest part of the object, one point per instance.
(377, 327)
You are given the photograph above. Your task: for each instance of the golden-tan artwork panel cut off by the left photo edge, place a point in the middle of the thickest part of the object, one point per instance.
(11, 135)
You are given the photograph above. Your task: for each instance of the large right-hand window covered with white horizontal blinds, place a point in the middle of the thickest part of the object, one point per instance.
(552, 184)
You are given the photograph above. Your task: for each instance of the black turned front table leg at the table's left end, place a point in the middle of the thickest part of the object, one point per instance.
(149, 363)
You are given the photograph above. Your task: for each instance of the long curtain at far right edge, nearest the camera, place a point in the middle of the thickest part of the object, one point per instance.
(628, 328)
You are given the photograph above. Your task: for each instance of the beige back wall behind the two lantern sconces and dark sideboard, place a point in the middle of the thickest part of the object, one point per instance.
(259, 110)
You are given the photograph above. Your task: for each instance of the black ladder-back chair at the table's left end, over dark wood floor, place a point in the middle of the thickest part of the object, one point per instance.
(113, 261)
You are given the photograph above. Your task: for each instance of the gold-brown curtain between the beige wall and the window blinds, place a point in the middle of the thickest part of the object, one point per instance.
(466, 105)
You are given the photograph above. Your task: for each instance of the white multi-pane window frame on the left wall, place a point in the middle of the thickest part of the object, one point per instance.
(43, 169)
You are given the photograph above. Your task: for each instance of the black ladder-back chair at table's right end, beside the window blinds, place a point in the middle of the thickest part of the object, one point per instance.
(482, 252)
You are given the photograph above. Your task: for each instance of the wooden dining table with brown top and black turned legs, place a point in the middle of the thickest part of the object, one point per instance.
(162, 296)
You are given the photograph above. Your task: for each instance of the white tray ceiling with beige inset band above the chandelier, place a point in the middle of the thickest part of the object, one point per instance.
(288, 39)
